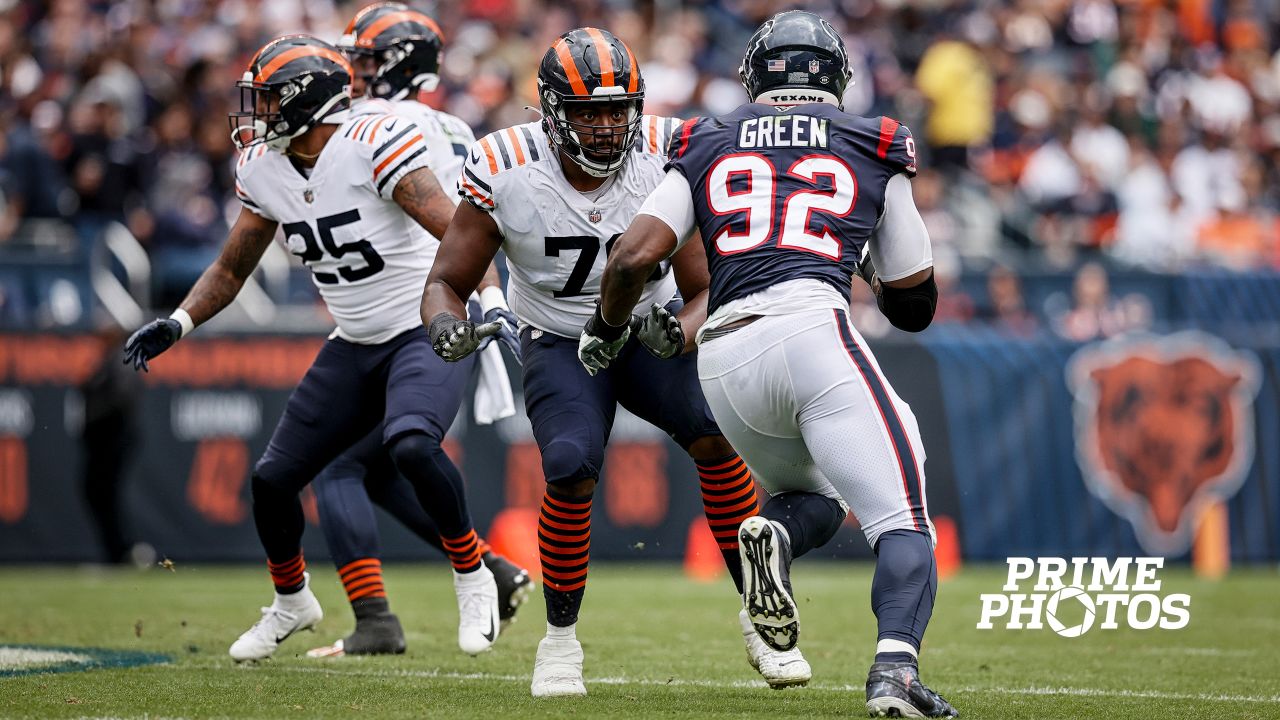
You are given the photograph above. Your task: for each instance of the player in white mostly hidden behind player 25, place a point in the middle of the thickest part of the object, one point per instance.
(395, 53)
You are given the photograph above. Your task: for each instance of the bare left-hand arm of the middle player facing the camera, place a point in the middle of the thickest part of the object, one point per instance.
(463, 263)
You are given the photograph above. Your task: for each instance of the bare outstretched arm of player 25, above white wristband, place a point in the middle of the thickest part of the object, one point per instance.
(222, 282)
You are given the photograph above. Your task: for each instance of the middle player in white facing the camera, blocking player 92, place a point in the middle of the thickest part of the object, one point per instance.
(555, 195)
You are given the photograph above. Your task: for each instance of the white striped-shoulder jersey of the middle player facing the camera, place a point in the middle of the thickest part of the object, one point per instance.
(557, 239)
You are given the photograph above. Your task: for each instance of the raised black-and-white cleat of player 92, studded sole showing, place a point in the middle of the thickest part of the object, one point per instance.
(766, 557)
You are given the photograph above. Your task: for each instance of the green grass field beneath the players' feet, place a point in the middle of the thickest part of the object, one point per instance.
(657, 646)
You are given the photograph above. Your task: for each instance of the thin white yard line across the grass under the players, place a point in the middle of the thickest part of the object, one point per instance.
(752, 685)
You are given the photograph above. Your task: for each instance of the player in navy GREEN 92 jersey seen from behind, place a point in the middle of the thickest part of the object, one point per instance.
(788, 193)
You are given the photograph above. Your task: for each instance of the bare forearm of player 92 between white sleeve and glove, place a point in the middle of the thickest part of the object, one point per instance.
(646, 244)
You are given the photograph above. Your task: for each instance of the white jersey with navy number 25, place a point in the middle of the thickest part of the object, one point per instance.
(368, 258)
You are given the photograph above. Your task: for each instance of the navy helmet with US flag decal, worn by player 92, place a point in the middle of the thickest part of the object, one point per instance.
(796, 58)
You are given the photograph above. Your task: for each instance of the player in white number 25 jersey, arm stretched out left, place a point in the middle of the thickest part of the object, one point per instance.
(356, 200)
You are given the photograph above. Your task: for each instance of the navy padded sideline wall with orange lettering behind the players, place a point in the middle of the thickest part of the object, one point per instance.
(998, 414)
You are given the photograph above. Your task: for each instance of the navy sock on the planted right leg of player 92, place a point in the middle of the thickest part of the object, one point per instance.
(903, 591)
